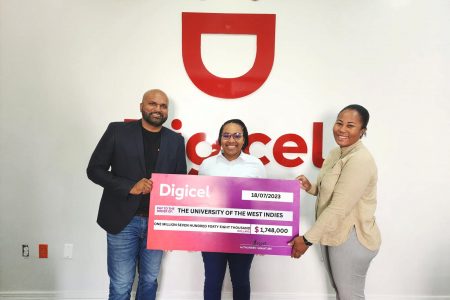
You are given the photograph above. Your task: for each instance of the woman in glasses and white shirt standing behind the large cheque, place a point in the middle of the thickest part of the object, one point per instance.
(231, 161)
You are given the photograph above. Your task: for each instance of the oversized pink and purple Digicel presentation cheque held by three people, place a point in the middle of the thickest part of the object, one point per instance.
(223, 214)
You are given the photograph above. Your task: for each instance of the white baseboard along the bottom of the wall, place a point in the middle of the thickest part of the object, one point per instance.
(100, 295)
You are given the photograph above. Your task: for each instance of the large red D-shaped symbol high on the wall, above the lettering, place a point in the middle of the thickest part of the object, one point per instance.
(196, 24)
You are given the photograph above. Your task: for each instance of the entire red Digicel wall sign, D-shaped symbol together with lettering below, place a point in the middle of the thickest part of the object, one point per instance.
(263, 26)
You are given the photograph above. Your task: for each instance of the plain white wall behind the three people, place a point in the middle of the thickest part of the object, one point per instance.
(67, 68)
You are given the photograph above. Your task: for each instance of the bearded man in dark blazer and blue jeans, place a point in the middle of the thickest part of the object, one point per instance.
(122, 163)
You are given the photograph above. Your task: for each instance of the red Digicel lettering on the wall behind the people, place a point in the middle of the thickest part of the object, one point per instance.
(279, 147)
